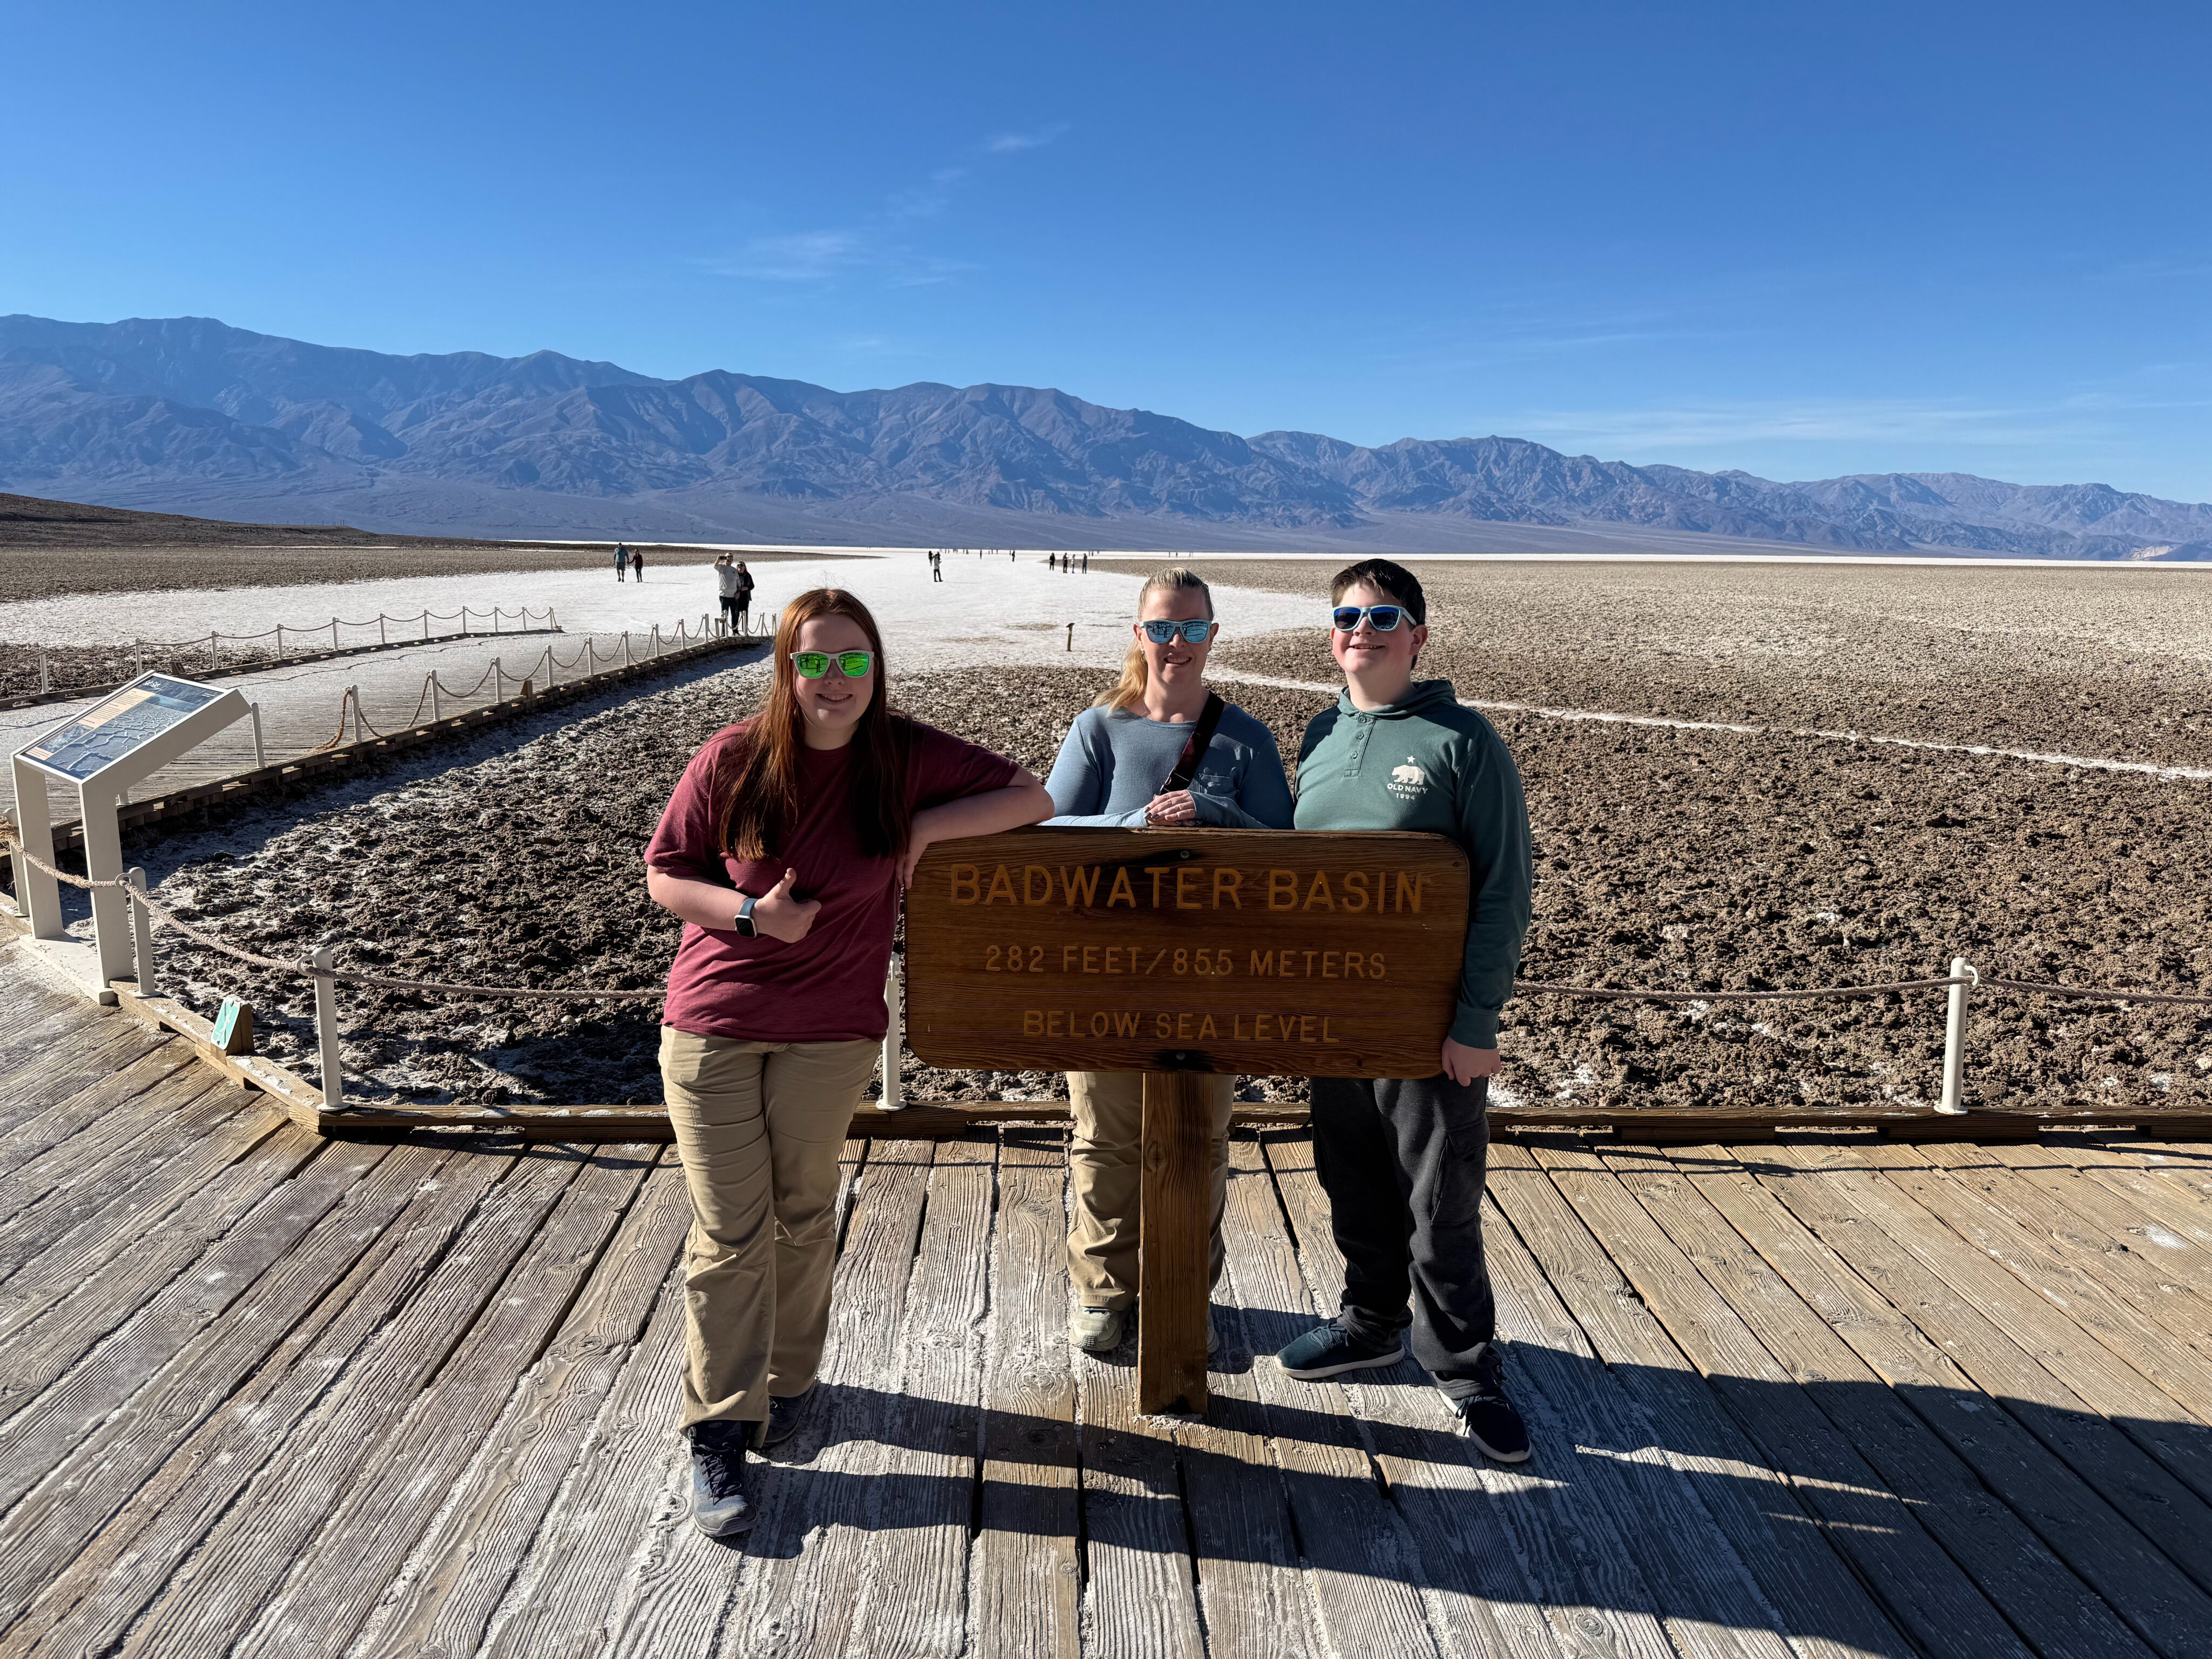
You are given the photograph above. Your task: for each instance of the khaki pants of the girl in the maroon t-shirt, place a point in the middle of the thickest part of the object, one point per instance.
(760, 1127)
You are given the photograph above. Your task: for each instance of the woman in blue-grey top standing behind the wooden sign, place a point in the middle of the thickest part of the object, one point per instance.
(1160, 749)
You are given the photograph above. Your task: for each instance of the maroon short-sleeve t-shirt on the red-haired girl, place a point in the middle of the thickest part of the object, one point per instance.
(828, 988)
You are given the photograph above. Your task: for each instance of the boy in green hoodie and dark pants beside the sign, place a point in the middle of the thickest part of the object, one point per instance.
(1406, 1160)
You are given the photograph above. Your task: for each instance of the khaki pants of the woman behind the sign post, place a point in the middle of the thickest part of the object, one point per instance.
(1107, 1173)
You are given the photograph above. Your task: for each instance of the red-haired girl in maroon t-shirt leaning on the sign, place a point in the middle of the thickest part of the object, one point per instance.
(815, 813)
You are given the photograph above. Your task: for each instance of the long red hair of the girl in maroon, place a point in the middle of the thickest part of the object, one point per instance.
(762, 795)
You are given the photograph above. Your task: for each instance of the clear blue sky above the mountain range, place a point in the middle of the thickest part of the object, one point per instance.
(1799, 240)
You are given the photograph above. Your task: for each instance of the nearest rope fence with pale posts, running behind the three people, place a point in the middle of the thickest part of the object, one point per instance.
(322, 970)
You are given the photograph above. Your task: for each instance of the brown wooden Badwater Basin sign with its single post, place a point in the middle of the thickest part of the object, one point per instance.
(1180, 952)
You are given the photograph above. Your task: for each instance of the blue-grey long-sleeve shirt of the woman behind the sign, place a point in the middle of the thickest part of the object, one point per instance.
(1114, 762)
